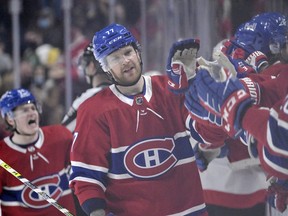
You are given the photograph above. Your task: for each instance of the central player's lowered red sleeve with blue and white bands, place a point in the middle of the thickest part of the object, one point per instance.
(89, 159)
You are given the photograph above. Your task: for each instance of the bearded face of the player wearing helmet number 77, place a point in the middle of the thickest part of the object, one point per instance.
(124, 65)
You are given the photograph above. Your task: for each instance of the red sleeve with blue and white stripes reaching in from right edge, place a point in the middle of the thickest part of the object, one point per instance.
(271, 132)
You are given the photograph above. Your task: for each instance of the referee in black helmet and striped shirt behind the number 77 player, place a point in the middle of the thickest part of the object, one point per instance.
(95, 77)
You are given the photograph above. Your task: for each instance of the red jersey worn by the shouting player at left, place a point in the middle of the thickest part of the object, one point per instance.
(46, 165)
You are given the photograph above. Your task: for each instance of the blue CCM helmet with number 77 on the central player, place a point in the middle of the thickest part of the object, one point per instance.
(110, 39)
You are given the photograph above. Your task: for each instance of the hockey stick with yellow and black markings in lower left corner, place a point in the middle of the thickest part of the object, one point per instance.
(34, 188)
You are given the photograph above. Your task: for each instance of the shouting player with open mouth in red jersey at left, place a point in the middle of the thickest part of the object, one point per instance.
(39, 154)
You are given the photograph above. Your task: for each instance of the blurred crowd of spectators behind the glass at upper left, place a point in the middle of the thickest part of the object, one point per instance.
(42, 66)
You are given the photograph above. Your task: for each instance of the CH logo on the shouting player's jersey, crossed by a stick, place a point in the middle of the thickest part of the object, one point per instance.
(48, 184)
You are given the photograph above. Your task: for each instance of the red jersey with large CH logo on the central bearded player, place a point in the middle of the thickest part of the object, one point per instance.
(136, 153)
